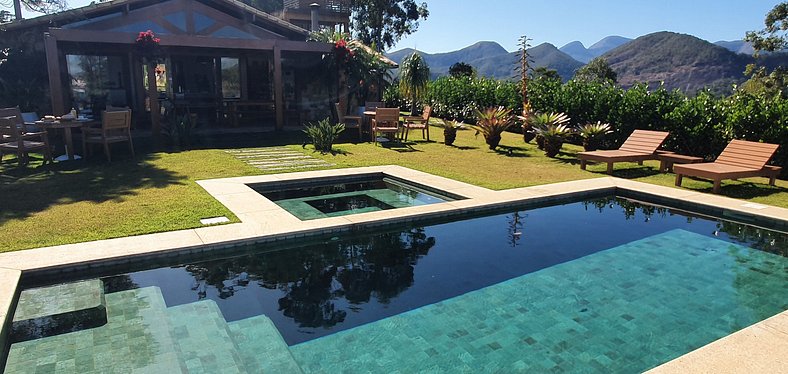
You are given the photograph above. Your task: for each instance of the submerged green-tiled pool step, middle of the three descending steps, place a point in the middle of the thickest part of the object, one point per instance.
(203, 339)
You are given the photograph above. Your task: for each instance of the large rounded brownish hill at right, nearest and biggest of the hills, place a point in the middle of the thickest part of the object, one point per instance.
(681, 61)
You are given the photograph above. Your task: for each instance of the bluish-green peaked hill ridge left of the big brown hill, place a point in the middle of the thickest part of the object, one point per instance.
(491, 60)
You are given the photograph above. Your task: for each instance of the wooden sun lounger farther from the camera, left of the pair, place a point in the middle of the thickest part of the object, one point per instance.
(640, 146)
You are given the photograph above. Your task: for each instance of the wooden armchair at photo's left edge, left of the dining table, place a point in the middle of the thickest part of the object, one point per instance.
(21, 144)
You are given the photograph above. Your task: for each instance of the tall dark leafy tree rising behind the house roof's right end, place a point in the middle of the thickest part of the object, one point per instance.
(382, 23)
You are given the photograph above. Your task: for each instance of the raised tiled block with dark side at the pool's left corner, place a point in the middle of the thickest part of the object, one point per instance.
(59, 309)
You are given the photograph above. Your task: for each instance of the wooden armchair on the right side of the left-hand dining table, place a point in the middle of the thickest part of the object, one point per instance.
(115, 128)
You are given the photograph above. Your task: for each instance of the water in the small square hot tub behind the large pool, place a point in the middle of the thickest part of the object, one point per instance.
(331, 199)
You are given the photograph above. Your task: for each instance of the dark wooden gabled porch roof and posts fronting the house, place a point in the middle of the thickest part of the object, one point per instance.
(186, 27)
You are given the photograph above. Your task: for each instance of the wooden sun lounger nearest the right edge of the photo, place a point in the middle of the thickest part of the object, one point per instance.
(740, 159)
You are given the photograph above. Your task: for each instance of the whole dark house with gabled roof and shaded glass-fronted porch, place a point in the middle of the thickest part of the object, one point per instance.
(221, 59)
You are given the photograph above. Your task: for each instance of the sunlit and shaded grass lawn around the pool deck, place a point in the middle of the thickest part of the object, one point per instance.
(82, 201)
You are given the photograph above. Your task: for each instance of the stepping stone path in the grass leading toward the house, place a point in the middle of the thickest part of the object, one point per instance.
(278, 159)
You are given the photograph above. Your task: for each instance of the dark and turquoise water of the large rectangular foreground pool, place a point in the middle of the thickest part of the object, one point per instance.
(605, 285)
